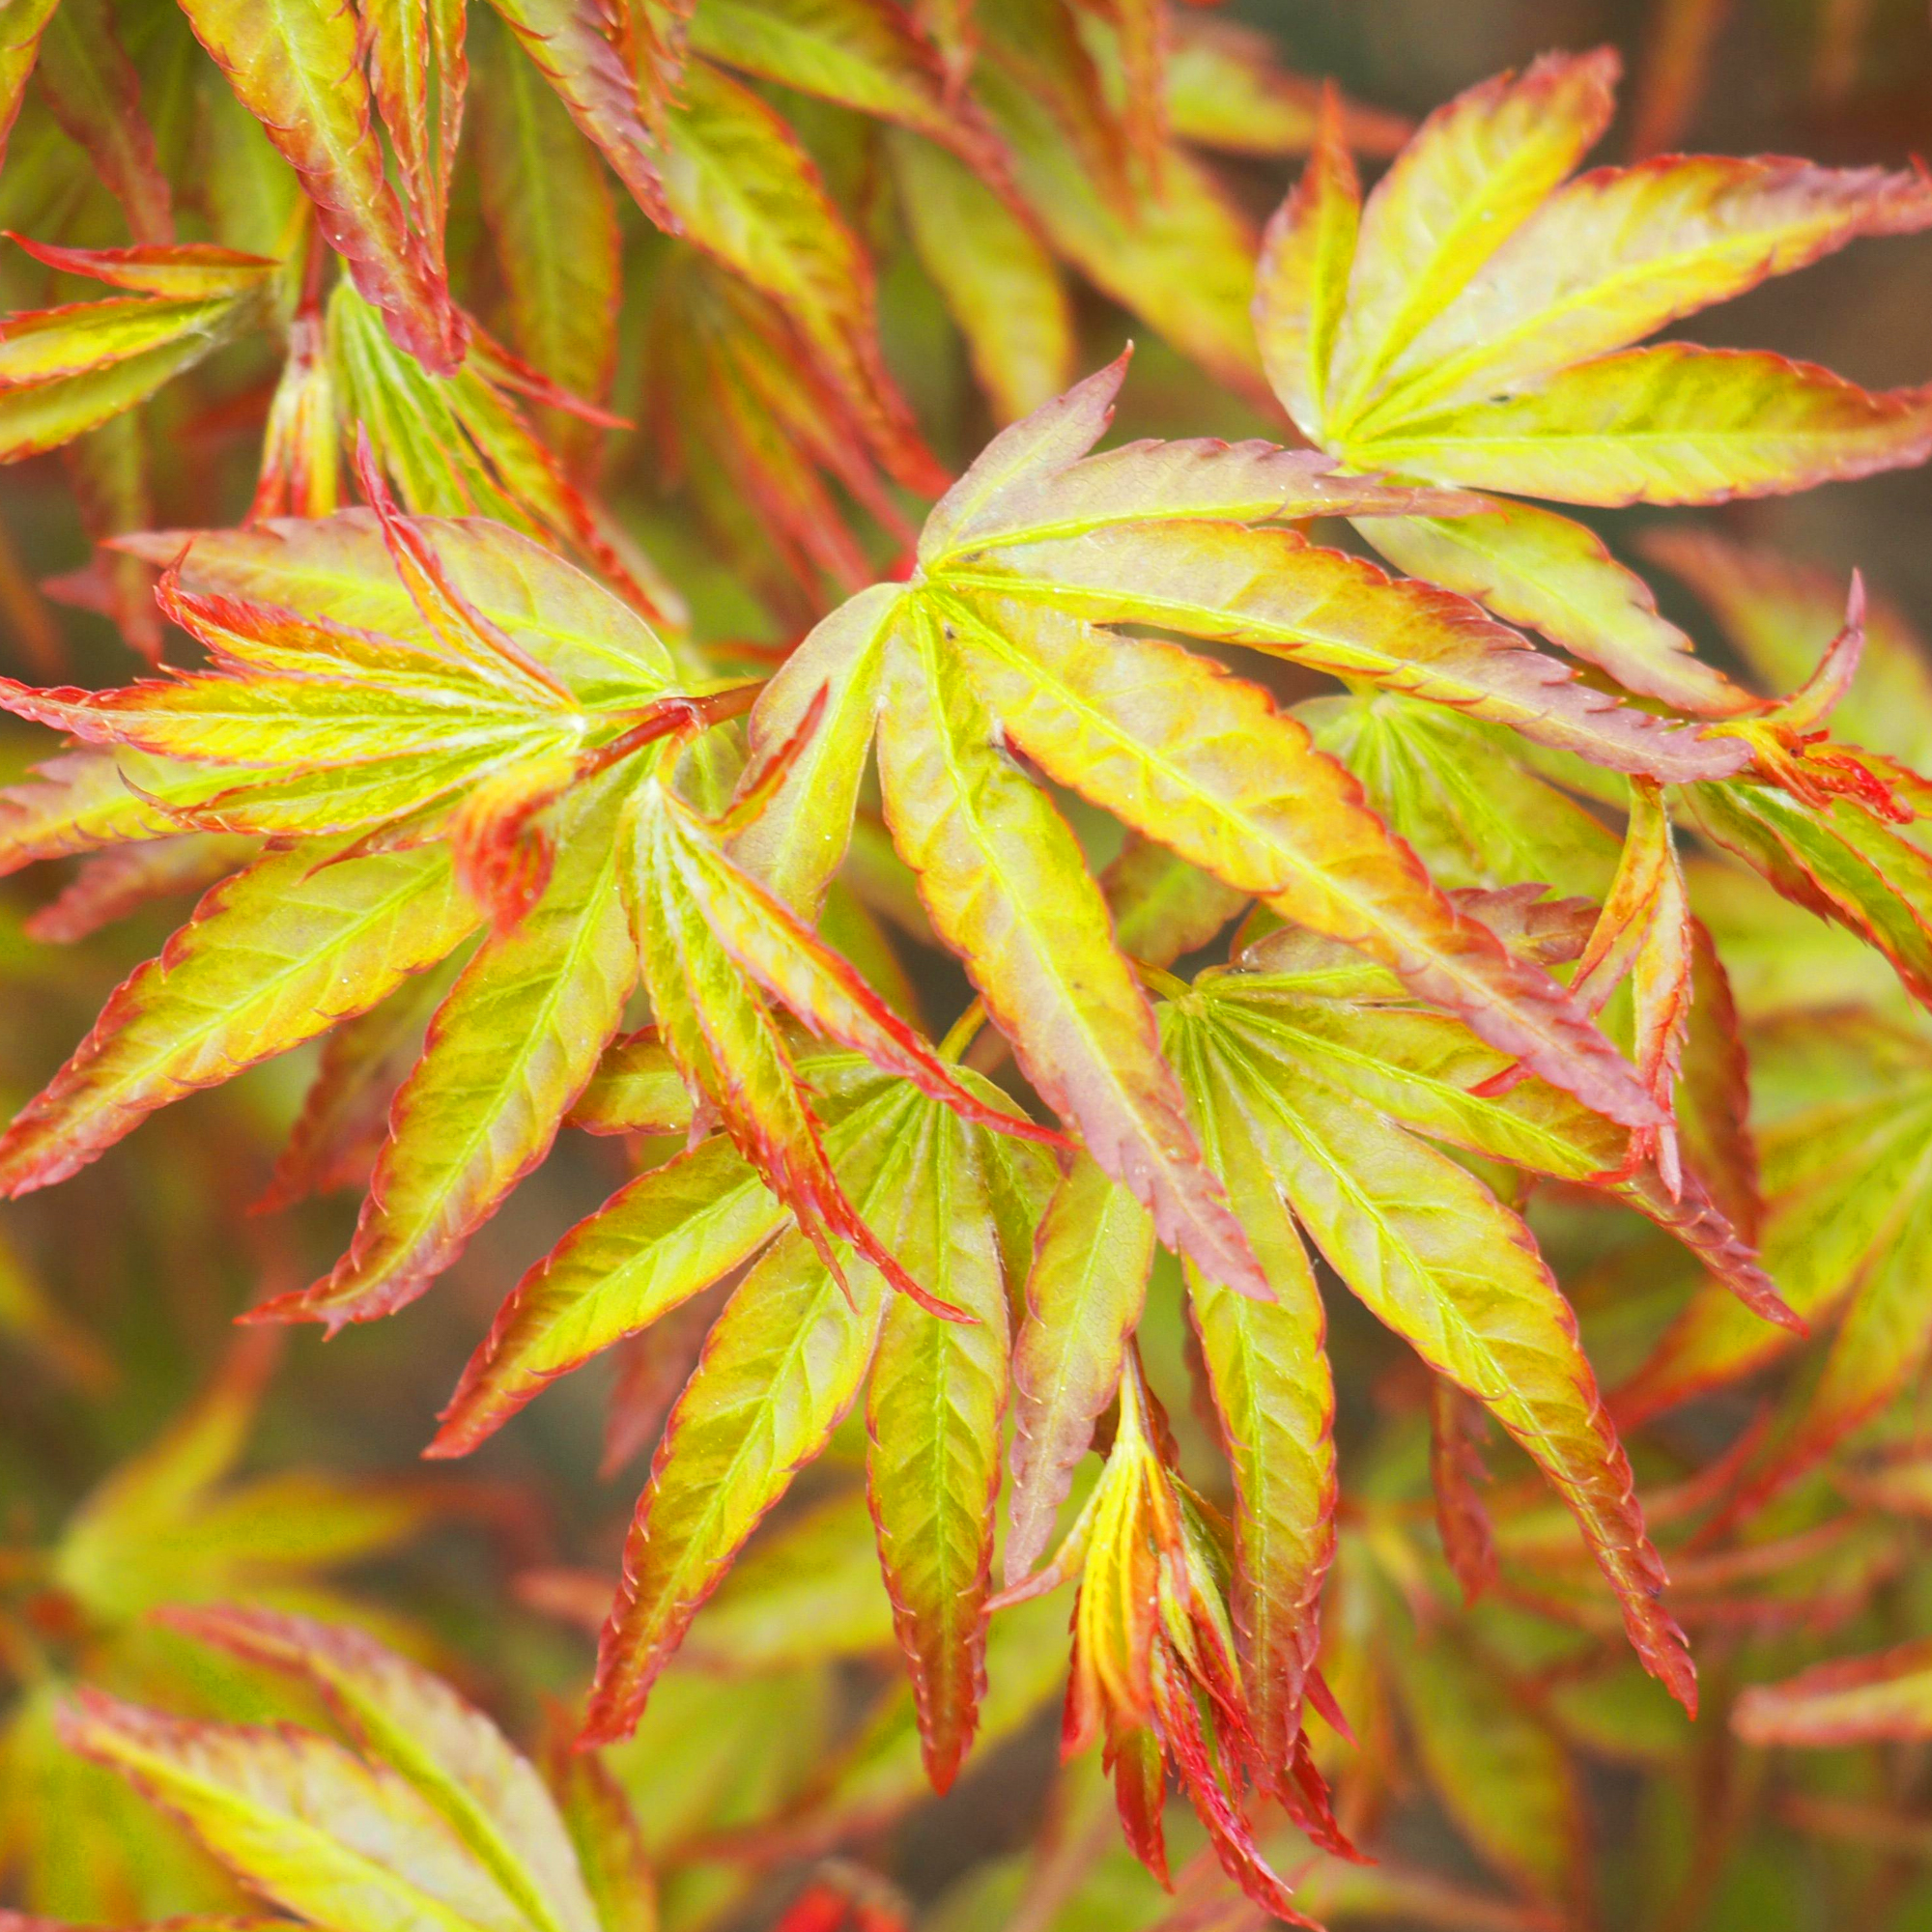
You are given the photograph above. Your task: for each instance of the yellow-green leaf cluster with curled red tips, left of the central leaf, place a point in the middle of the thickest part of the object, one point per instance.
(484, 739)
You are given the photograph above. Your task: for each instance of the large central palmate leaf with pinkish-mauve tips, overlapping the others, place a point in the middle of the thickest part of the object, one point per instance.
(980, 654)
